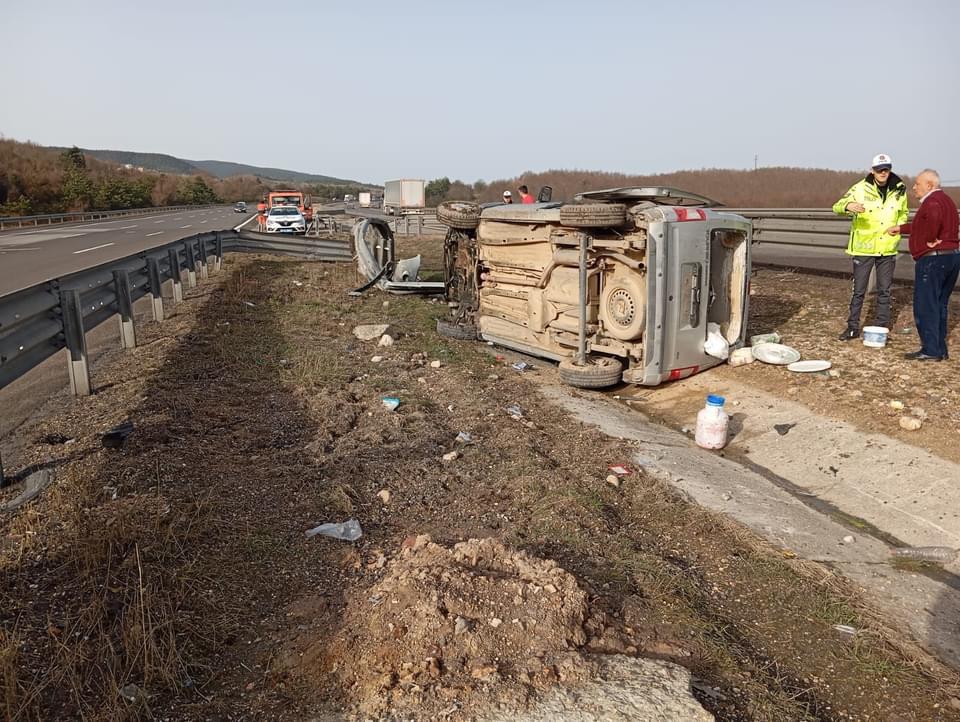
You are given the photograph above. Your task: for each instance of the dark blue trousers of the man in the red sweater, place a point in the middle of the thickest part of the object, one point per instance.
(934, 279)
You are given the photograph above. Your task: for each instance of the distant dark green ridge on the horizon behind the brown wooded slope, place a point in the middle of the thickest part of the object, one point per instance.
(217, 168)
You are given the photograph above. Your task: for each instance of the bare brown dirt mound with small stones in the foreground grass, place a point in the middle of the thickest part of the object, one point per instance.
(473, 627)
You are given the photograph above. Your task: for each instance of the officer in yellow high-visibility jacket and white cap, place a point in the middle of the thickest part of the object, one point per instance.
(876, 203)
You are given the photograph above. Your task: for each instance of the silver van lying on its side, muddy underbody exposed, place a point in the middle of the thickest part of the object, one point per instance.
(618, 285)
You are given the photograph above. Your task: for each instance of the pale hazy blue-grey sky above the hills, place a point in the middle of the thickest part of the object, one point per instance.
(371, 89)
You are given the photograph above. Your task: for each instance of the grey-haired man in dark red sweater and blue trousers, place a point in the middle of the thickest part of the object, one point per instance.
(935, 249)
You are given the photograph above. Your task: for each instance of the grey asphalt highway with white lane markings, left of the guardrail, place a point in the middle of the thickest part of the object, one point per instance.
(34, 255)
